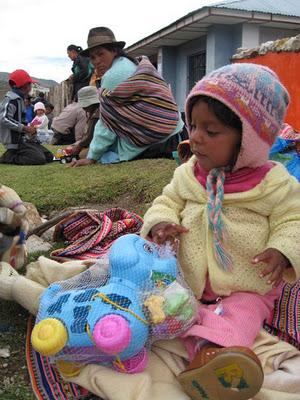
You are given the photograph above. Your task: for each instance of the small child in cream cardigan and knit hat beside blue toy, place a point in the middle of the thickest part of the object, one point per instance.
(237, 216)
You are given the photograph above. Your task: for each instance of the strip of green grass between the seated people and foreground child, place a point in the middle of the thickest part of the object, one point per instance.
(56, 186)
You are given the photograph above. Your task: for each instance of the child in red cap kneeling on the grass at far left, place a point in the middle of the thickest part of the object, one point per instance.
(17, 137)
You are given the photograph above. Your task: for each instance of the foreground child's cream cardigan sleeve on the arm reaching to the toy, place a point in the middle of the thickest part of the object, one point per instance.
(168, 206)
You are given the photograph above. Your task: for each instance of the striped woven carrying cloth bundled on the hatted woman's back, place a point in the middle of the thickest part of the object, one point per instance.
(142, 108)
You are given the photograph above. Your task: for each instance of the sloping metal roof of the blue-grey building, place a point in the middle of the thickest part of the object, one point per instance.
(266, 13)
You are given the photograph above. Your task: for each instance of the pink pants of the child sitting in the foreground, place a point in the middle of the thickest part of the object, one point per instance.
(243, 314)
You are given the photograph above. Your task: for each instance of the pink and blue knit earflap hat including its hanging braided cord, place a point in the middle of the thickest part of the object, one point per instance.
(255, 94)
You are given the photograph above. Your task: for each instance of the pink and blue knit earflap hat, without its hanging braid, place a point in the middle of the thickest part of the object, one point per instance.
(256, 95)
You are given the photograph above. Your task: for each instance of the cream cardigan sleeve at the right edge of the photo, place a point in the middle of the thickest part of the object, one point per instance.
(285, 227)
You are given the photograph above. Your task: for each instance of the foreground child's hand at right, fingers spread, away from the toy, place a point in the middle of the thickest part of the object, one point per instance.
(277, 263)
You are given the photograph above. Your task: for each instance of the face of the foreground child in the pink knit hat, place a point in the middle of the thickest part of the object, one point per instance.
(213, 143)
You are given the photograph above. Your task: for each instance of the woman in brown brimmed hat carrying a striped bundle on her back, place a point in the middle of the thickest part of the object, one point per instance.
(139, 117)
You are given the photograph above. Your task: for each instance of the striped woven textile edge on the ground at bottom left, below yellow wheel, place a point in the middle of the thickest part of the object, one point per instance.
(46, 382)
